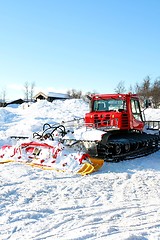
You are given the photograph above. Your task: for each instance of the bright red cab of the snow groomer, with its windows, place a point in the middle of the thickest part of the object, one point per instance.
(115, 111)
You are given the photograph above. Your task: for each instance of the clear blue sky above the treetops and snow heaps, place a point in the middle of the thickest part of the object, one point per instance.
(87, 45)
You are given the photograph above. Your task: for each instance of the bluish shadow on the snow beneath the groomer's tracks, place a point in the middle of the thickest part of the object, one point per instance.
(150, 162)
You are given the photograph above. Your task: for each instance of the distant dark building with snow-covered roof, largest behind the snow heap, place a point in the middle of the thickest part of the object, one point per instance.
(50, 96)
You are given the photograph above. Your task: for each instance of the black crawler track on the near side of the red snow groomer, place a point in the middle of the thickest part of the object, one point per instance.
(107, 152)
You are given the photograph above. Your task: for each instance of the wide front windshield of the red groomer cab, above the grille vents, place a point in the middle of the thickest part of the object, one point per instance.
(109, 105)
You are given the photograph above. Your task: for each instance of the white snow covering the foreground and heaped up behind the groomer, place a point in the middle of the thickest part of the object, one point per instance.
(120, 201)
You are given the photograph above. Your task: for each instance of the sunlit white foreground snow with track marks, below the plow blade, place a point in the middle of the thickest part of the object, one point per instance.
(47, 205)
